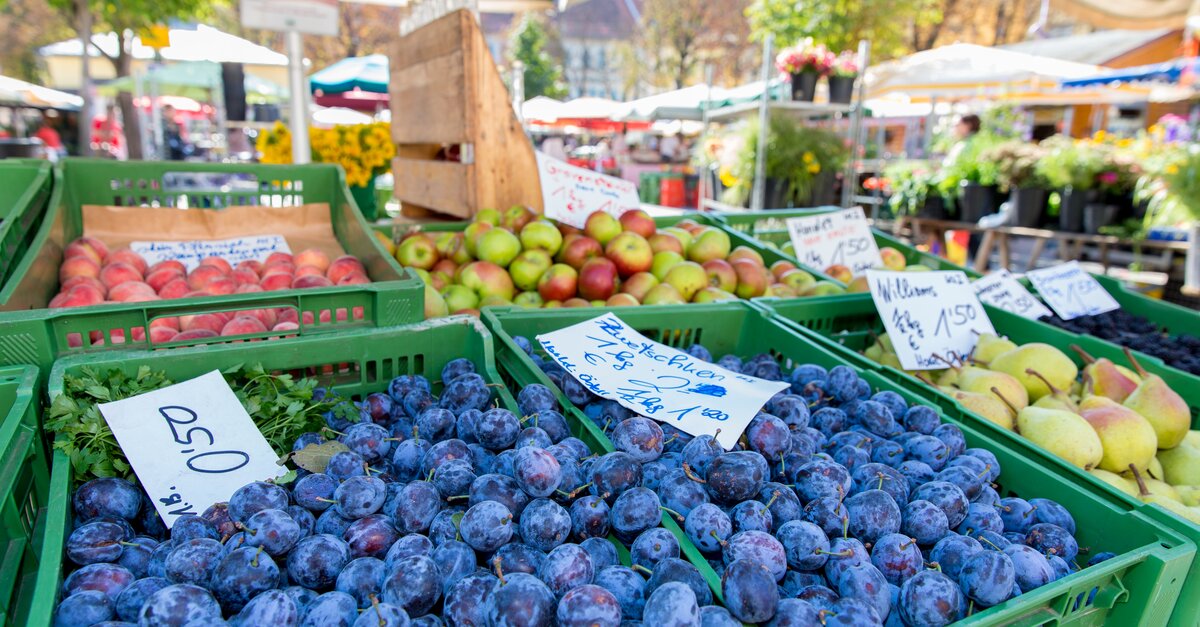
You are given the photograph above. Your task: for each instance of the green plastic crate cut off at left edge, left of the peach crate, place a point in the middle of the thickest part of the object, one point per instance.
(26, 189)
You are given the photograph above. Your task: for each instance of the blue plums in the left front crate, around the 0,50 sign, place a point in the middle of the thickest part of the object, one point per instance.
(407, 507)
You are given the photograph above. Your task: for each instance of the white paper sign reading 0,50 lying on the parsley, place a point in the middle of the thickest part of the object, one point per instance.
(191, 445)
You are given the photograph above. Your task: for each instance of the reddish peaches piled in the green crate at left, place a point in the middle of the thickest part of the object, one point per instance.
(92, 274)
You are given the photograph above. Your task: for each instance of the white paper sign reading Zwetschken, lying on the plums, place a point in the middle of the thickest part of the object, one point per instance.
(616, 362)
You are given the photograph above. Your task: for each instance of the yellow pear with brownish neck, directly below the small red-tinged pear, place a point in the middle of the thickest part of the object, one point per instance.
(1127, 438)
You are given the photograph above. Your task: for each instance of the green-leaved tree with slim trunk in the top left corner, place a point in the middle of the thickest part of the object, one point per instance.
(127, 19)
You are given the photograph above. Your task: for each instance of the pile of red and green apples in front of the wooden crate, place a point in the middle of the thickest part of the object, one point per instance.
(521, 260)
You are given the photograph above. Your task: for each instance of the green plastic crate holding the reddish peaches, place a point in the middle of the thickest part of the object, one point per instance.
(32, 335)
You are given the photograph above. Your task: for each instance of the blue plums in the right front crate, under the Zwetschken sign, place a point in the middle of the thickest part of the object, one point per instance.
(842, 503)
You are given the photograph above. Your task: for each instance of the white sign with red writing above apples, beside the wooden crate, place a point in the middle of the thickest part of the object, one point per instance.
(571, 195)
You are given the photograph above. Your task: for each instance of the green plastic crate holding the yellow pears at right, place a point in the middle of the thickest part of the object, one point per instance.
(848, 326)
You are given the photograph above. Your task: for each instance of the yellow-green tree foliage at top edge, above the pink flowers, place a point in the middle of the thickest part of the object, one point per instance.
(842, 25)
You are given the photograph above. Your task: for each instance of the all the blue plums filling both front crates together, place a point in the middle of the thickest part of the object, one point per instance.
(841, 507)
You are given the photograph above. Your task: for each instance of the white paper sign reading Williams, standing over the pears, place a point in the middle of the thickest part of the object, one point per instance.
(929, 314)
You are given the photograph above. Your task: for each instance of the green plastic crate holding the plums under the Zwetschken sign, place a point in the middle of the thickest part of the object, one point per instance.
(1138, 588)
